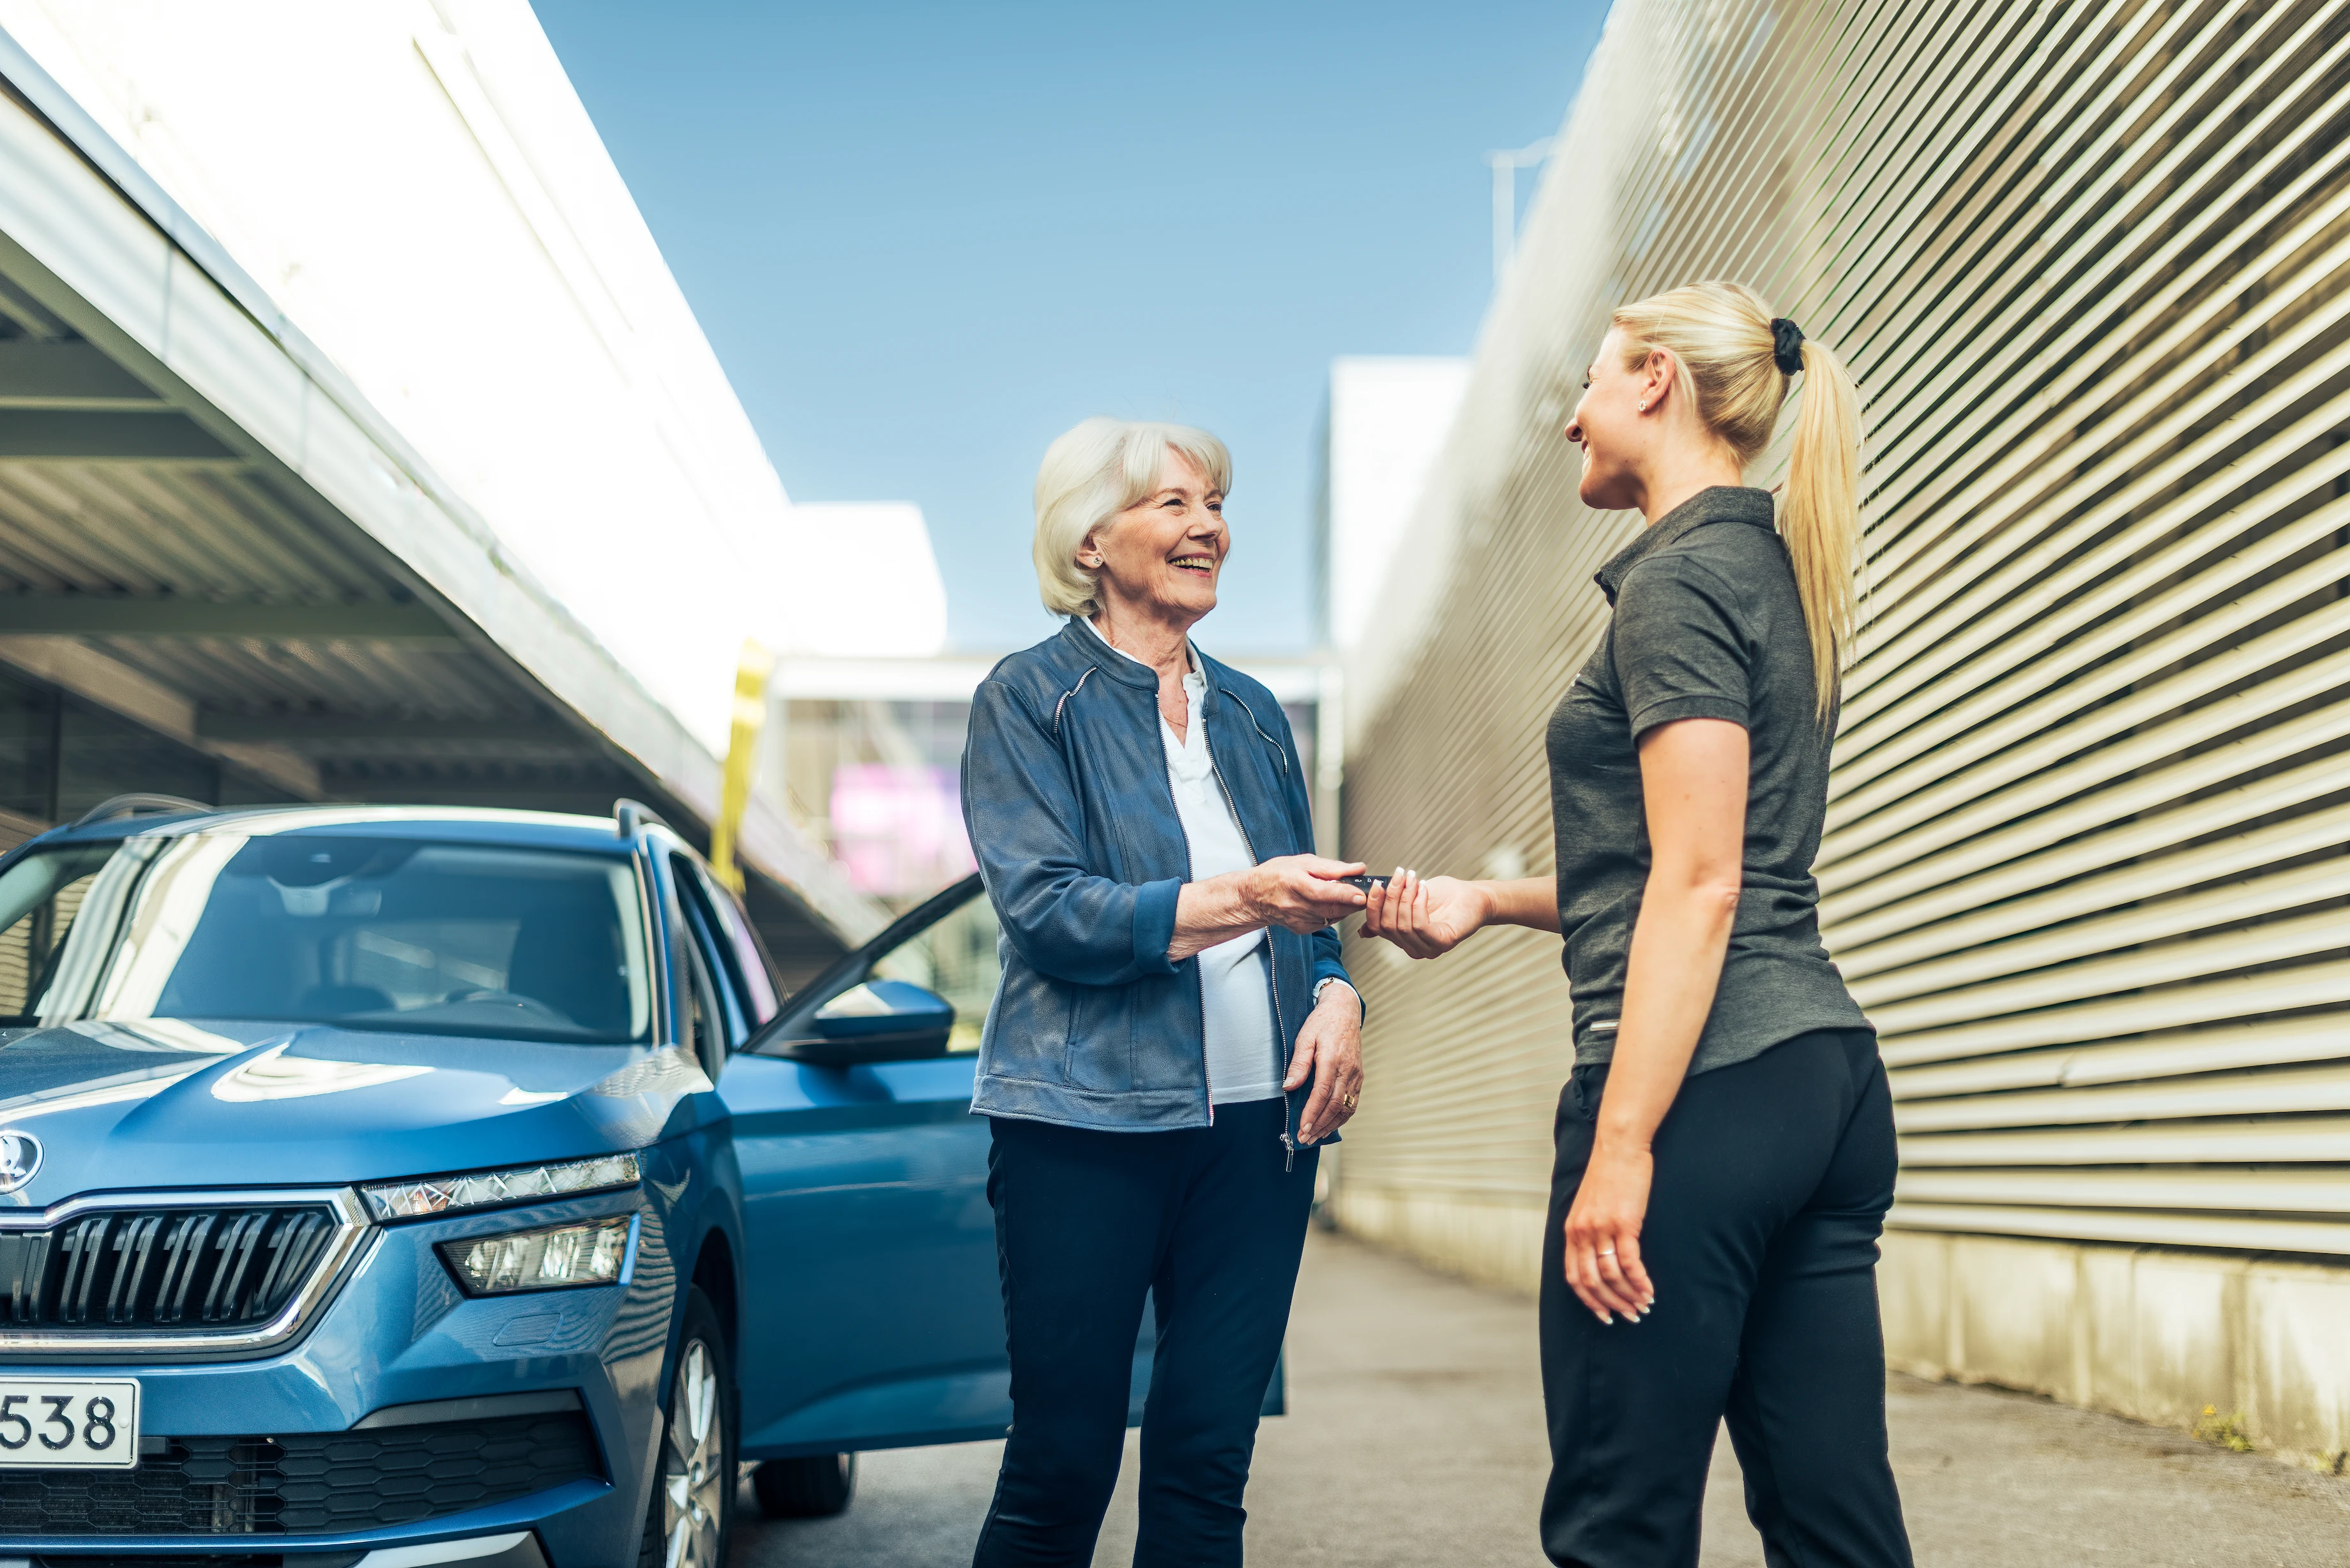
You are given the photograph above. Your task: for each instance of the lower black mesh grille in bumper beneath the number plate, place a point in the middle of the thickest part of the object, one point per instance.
(307, 1485)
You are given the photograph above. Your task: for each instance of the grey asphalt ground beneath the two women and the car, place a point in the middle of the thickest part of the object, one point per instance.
(1416, 1440)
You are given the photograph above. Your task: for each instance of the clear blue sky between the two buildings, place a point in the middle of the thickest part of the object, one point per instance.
(927, 239)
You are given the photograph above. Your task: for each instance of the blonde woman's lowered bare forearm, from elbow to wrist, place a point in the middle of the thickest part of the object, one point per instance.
(1677, 965)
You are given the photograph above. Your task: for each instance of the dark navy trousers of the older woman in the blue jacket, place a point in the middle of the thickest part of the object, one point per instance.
(1211, 1226)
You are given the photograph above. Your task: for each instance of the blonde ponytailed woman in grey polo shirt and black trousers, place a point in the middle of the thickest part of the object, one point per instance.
(1726, 1144)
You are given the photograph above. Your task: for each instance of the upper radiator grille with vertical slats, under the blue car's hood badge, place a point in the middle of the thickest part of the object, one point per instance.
(163, 1268)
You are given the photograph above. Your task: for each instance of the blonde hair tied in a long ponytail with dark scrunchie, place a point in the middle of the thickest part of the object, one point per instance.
(1726, 344)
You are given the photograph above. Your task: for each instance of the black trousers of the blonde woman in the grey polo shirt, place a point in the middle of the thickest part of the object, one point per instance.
(1761, 1238)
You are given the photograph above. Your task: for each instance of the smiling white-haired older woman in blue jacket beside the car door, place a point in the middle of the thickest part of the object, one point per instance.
(1174, 1033)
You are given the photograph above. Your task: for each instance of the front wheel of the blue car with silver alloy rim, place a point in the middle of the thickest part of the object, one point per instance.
(692, 1510)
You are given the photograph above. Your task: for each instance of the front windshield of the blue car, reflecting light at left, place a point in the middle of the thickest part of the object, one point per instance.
(365, 934)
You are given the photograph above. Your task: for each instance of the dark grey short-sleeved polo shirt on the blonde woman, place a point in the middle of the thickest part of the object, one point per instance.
(1707, 626)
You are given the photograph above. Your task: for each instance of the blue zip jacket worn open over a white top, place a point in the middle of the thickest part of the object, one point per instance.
(1066, 791)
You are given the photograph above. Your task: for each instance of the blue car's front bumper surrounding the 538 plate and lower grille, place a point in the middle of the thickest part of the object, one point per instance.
(410, 1426)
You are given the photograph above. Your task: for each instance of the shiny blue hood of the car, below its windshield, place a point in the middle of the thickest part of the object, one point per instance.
(168, 1104)
